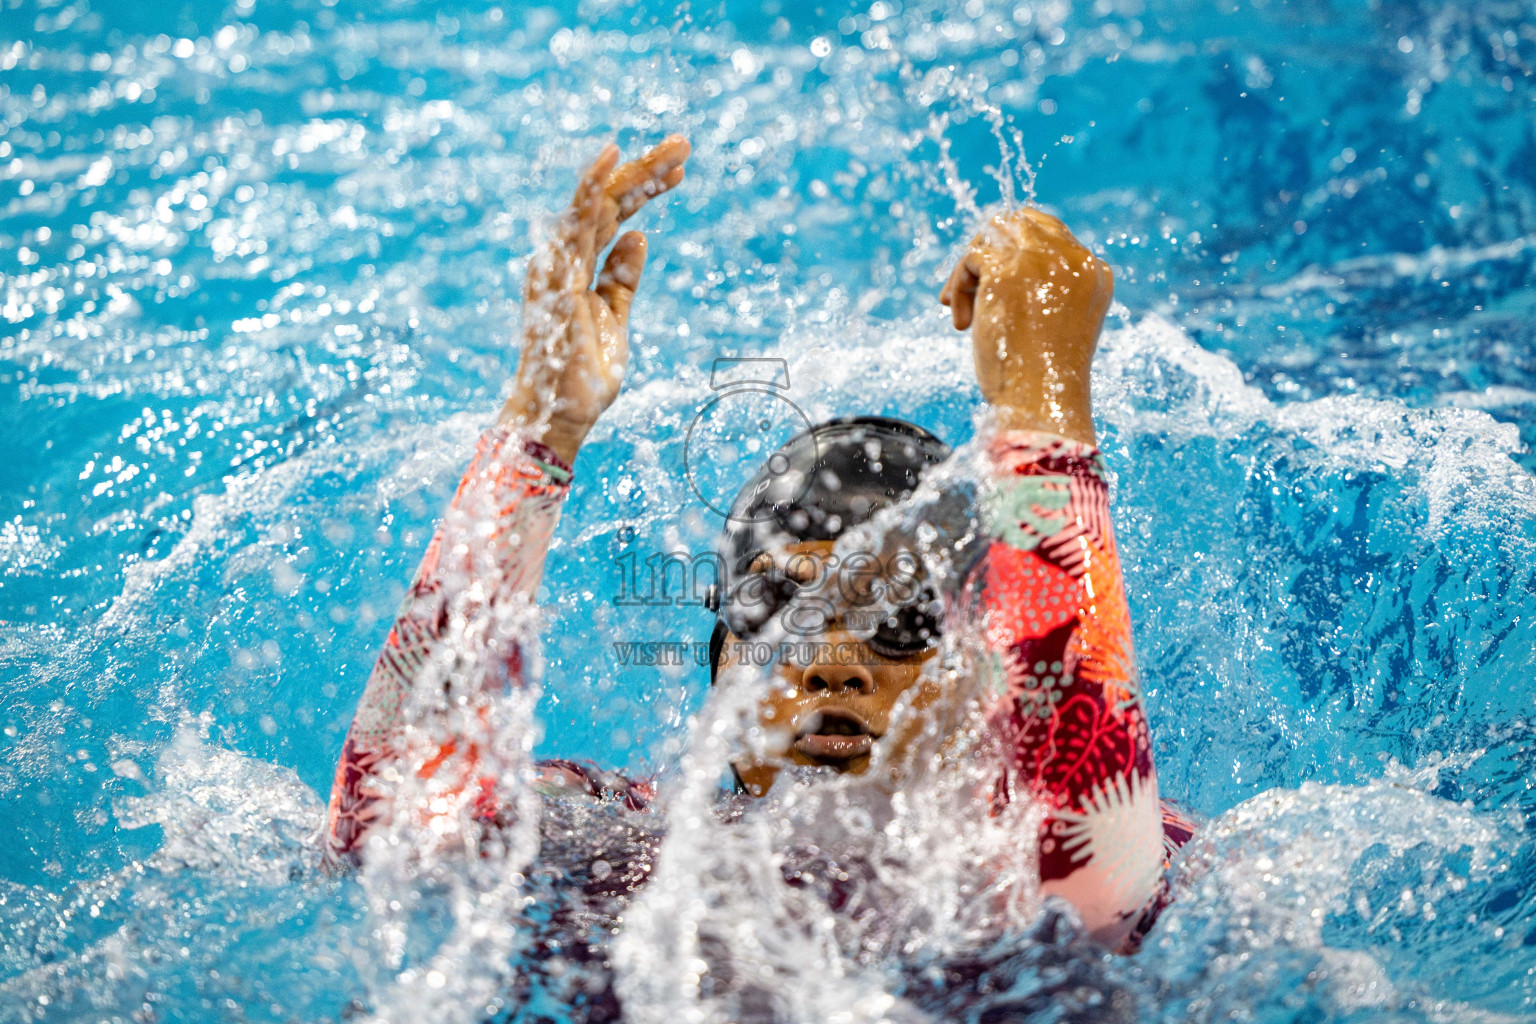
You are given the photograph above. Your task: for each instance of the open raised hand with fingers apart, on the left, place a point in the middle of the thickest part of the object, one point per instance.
(575, 332)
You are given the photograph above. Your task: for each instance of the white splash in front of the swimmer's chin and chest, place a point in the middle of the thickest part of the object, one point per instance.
(806, 905)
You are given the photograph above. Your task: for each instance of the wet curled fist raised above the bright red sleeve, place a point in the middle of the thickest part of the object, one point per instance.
(1036, 300)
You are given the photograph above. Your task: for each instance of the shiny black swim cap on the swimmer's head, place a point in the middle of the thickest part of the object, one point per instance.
(832, 478)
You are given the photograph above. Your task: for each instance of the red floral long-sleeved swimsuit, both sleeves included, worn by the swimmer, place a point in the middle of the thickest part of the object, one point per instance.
(1045, 596)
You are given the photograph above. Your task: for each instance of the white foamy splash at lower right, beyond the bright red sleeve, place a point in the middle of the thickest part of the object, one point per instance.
(1271, 876)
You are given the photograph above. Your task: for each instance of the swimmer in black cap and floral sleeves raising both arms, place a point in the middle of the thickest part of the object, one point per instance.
(1042, 590)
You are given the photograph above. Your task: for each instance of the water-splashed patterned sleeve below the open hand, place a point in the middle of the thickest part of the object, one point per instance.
(491, 547)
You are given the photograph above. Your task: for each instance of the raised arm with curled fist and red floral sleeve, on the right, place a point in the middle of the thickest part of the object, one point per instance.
(1048, 593)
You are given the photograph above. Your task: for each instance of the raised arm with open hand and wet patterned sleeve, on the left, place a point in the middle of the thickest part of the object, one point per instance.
(494, 541)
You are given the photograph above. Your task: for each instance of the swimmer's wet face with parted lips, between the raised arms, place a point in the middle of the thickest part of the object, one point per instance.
(835, 698)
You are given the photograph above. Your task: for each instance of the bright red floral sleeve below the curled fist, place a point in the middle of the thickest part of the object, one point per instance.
(1056, 630)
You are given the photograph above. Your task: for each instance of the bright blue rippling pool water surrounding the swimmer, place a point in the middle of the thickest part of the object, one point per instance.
(259, 291)
